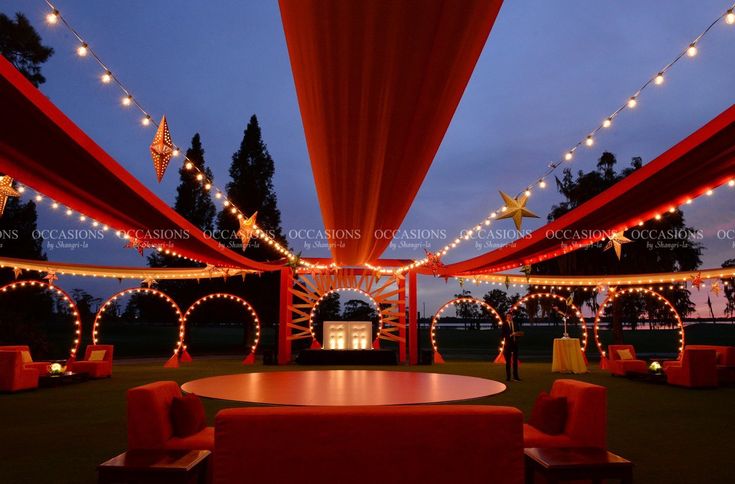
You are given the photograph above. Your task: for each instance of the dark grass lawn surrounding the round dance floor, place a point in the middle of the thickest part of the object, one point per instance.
(59, 435)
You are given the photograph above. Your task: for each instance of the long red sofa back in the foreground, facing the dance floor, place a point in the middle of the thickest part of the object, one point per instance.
(363, 445)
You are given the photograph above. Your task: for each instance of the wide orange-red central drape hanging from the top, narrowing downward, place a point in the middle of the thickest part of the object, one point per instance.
(378, 82)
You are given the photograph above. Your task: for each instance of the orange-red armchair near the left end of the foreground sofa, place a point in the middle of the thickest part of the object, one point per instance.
(149, 420)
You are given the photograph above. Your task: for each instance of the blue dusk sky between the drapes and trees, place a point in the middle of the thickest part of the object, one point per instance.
(549, 73)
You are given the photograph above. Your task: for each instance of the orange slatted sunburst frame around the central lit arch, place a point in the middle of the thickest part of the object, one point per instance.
(384, 291)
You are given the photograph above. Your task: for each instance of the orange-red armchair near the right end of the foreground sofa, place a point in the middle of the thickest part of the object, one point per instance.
(586, 424)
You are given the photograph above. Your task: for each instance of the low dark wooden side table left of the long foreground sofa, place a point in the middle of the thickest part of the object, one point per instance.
(155, 466)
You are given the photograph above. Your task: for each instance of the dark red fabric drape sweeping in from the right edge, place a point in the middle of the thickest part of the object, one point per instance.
(704, 160)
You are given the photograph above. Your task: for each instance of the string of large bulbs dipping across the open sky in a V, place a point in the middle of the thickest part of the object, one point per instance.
(54, 17)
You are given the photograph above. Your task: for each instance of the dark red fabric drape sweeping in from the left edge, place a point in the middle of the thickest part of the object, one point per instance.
(43, 148)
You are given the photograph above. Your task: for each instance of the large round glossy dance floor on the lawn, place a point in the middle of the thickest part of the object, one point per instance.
(343, 387)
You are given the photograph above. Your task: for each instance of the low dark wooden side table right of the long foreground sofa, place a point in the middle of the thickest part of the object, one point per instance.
(576, 463)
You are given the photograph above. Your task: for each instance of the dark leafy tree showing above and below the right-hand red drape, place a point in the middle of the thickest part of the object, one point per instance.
(671, 245)
